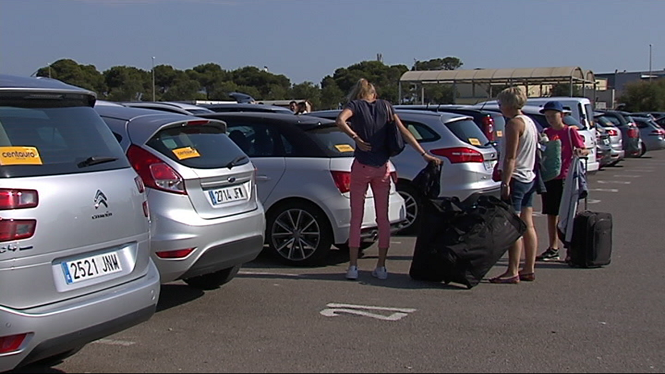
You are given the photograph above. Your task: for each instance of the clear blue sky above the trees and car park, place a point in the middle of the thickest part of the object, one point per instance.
(308, 39)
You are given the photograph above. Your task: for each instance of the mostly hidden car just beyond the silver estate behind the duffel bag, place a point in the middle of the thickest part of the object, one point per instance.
(491, 123)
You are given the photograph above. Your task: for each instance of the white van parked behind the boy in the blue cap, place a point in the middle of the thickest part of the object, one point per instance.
(581, 109)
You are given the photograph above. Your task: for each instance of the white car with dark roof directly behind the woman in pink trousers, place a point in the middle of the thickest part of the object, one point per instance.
(303, 174)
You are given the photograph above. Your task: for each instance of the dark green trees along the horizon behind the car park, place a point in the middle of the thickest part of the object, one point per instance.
(211, 82)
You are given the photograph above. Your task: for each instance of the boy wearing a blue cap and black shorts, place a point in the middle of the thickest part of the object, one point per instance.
(572, 144)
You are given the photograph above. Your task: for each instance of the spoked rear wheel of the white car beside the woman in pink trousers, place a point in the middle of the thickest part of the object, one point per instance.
(286, 239)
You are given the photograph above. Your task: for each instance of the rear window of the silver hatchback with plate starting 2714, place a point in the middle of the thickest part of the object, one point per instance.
(199, 147)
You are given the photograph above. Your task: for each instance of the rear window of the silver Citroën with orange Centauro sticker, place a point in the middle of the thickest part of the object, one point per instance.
(40, 137)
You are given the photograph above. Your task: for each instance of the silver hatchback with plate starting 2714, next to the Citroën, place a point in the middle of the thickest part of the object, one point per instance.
(201, 187)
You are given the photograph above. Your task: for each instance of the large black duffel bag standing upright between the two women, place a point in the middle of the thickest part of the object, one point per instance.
(461, 241)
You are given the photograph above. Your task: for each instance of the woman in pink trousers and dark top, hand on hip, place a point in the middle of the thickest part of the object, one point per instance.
(368, 118)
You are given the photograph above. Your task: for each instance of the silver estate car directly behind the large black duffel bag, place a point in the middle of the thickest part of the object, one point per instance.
(468, 158)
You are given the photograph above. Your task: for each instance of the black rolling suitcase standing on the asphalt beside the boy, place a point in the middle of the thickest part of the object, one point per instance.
(591, 242)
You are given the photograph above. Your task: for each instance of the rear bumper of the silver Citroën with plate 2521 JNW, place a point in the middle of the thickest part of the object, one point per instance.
(71, 324)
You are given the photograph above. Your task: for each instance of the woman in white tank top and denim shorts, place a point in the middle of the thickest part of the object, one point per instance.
(517, 161)
